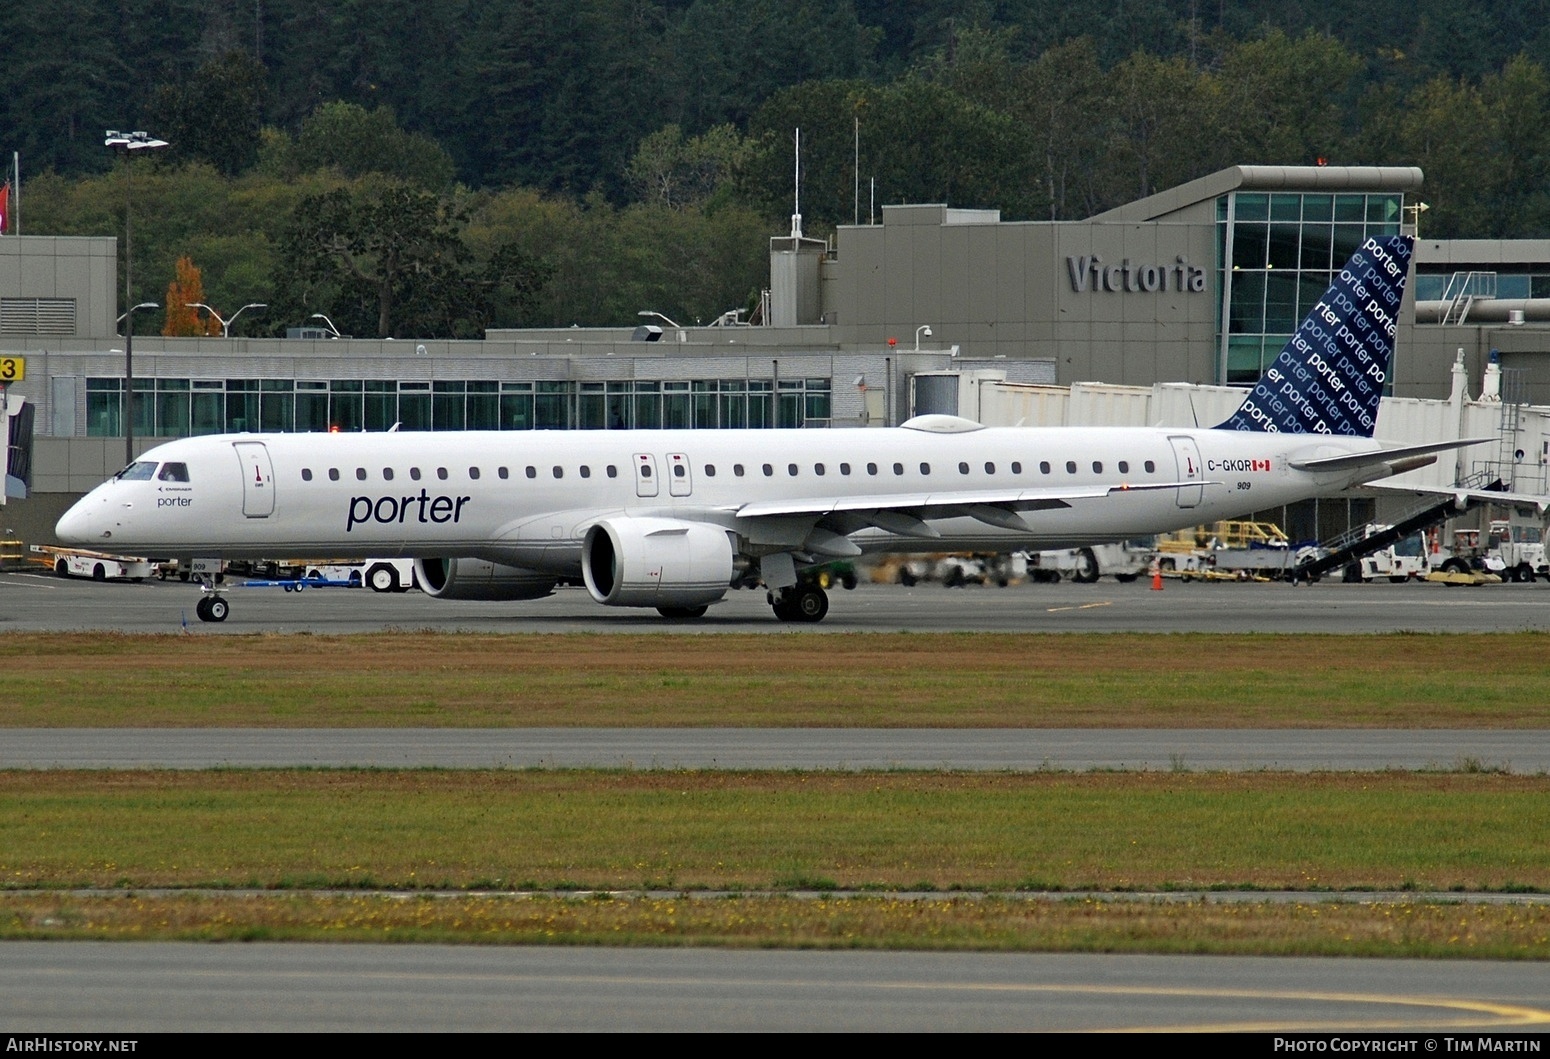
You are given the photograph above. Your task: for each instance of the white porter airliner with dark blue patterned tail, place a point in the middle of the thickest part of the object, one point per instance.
(672, 520)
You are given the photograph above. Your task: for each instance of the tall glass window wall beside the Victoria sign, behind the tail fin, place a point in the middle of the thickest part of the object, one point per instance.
(1280, 255)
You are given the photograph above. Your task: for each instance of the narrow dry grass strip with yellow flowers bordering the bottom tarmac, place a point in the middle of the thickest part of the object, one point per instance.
(991, 925)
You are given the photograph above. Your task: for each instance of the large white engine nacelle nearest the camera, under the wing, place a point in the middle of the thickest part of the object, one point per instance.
(656, 562)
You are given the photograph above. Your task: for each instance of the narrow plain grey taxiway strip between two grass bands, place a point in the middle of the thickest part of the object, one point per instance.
(966, 750)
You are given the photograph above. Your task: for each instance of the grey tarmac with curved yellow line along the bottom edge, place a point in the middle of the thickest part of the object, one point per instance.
(128, 988)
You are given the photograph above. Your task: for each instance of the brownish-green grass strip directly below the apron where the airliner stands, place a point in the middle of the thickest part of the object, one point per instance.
(447, 680)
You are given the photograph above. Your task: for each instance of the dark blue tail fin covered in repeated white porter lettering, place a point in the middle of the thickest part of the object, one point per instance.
(1329, 379)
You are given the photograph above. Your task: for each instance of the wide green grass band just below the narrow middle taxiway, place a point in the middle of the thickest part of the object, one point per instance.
(584, 830)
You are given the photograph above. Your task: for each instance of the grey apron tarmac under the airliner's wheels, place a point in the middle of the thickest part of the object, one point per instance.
(46, 602)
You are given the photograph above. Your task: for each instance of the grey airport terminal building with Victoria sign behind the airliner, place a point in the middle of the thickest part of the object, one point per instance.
(923, 312)
